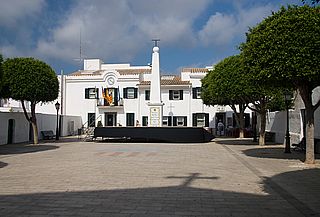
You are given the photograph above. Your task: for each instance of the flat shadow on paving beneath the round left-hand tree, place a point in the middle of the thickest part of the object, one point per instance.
(24, 148)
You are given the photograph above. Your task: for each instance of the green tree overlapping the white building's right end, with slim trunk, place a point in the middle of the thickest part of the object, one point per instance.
(224, 85)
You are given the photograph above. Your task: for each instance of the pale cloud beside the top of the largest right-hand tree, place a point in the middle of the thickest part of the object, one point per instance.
(221, 28)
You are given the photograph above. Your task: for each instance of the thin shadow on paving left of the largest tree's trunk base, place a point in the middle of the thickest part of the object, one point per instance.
(276, 153)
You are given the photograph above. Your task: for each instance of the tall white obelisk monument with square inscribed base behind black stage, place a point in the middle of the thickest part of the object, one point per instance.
(155, 104)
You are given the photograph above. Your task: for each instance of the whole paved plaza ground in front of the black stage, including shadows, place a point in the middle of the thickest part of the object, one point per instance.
(221, 178)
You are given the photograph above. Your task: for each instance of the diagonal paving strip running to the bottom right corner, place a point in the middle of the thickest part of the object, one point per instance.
(296, 203)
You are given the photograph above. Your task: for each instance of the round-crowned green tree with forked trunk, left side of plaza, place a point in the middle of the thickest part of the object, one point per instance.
(29, 79)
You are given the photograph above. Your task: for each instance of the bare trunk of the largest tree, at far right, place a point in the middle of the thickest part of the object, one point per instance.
(310, 157)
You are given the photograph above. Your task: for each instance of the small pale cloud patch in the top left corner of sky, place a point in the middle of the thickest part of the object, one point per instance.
(12, 11)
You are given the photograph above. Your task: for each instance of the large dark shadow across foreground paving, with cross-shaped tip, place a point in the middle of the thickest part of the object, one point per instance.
(181, 200)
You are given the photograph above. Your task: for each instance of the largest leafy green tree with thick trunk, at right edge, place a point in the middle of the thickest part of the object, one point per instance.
(283, 50)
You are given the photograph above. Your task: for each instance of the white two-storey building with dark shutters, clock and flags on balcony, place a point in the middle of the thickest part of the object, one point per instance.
(118, 95)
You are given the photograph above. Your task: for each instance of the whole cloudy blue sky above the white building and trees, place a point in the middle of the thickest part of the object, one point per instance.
(193, 33)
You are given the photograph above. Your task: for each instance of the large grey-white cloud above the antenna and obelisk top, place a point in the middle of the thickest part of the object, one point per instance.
(119, 29)
